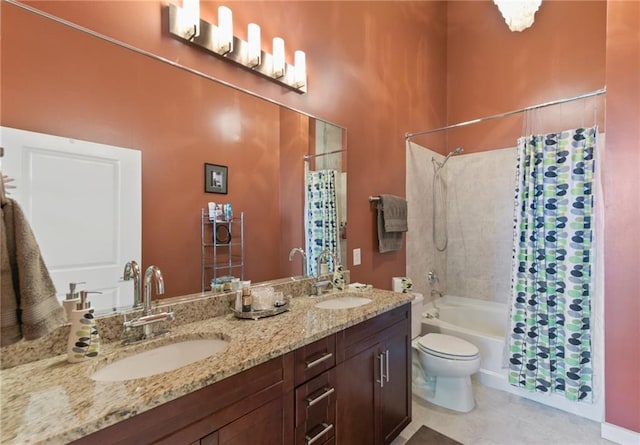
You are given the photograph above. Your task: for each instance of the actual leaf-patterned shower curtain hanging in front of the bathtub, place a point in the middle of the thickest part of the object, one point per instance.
(550, 331)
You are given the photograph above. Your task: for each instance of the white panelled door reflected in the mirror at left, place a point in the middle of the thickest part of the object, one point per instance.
(83, 202)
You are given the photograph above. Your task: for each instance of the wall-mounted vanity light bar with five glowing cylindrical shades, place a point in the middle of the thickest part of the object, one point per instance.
(220, 41)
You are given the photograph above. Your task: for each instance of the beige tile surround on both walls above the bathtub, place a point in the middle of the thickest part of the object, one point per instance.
(480, 188)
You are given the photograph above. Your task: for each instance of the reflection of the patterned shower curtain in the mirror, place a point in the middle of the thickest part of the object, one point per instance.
(321, 218)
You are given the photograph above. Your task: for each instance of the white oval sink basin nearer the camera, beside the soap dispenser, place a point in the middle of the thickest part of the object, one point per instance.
(161, 359)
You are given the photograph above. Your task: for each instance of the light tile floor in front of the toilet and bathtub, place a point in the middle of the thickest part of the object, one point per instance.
(501, 418)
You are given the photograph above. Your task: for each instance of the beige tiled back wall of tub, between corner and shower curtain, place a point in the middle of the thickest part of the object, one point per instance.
(480, 224)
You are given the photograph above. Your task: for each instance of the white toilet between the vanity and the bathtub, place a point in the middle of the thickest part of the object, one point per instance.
(442, 365)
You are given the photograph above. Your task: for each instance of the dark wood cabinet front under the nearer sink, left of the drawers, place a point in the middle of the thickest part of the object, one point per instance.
(258, 401)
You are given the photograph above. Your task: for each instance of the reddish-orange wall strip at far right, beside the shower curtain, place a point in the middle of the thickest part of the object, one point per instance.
(622, 200)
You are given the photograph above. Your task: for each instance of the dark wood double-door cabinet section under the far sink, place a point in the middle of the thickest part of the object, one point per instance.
(373, 380)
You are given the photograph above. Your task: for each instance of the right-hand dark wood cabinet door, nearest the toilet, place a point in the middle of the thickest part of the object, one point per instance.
(395, 403)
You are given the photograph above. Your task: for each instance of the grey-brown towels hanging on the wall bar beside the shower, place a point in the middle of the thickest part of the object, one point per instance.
(392, 222)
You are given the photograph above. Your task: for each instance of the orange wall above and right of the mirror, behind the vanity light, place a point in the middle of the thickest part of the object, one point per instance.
(365, 73)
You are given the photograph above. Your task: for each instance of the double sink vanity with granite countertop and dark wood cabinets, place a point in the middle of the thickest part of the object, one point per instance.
(332, 369)
